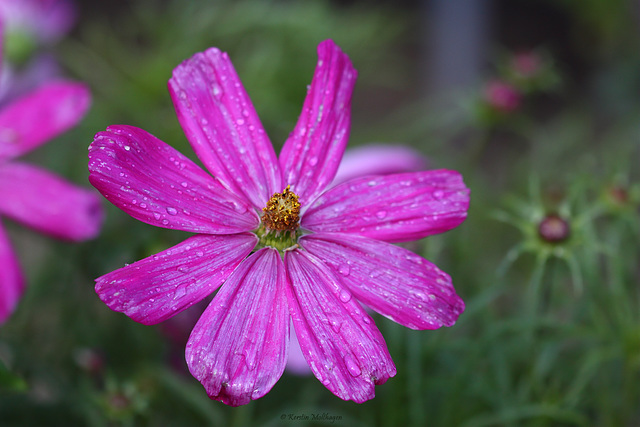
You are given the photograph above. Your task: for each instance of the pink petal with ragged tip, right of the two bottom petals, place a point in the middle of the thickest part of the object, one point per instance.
(340, 341)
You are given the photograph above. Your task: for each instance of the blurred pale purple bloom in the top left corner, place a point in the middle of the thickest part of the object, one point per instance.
(30, 27)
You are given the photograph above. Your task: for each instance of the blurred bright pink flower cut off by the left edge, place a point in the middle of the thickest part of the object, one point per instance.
(35, 197)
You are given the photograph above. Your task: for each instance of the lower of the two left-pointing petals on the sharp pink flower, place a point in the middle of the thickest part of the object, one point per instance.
(158, 287)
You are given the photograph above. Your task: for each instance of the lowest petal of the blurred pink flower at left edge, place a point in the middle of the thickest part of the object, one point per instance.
(11, 279)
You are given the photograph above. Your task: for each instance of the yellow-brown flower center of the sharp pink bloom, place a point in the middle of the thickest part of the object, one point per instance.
(280, 221)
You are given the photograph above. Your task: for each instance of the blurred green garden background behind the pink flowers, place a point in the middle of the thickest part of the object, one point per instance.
(551, 333)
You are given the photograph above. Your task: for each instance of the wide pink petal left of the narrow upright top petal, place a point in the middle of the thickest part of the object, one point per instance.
(220, 122)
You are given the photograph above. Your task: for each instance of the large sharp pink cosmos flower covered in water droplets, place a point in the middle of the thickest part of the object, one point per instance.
(277, 245)
